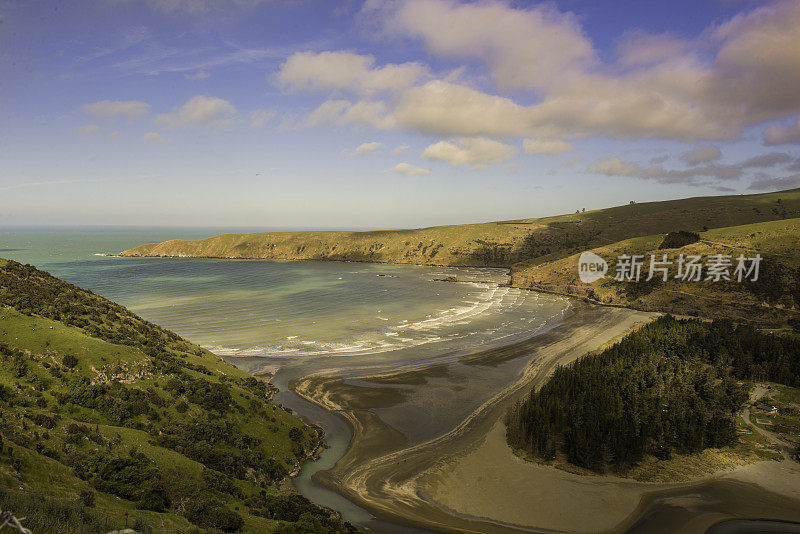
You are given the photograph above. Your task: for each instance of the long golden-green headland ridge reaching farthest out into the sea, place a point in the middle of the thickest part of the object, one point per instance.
(499, 244)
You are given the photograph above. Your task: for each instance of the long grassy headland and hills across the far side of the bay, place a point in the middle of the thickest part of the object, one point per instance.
(542, 254)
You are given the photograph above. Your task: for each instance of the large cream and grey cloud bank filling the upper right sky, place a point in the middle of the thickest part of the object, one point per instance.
(735, 74)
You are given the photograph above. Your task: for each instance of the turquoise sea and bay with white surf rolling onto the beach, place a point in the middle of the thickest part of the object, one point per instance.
(278, 310)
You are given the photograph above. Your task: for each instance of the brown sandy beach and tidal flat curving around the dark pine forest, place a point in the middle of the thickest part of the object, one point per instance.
(454, 472)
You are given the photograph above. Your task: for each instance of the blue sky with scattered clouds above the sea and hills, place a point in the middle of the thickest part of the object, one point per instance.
(388, 114)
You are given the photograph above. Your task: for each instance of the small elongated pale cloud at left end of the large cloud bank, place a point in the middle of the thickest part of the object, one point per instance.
(345, 70)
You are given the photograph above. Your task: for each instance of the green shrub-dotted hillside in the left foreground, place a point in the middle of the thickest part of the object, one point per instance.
(108, 421)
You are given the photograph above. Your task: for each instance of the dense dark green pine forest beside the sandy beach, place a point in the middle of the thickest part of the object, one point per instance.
(671, 386)
